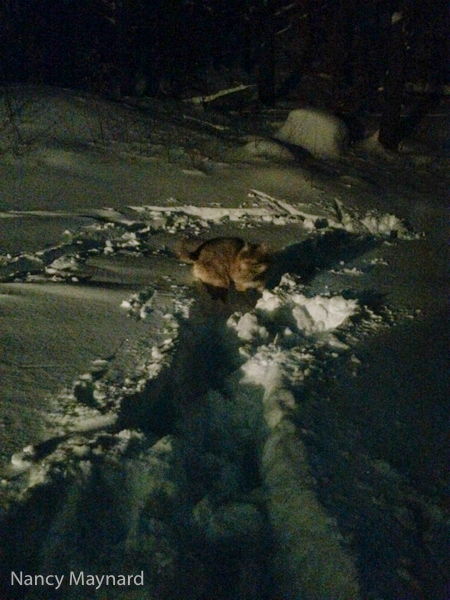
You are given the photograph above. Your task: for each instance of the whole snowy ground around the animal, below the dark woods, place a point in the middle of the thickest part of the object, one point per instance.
(289, 445)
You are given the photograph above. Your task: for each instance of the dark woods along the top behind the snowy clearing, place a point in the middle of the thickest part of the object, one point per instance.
(174, 48)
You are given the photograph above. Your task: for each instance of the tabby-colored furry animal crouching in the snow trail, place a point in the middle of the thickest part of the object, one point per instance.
(224, 261)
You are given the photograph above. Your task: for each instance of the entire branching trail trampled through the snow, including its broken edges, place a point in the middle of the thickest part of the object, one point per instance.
(190, 442)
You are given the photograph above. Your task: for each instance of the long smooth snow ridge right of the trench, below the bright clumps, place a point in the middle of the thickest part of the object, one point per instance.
(310, 558)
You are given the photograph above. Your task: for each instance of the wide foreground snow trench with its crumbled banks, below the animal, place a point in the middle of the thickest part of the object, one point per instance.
(180, 459)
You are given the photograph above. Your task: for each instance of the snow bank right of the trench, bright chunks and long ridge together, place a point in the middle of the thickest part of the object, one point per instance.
(280, 339)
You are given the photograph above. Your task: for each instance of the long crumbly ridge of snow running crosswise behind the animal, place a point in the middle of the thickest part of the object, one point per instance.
(131, 232)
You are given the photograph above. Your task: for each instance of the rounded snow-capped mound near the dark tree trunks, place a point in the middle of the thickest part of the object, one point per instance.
(318, 132)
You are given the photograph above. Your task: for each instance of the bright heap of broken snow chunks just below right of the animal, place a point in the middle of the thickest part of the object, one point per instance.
(285, 330)
